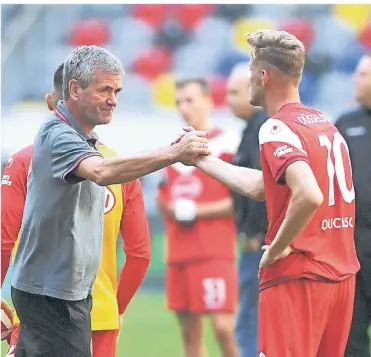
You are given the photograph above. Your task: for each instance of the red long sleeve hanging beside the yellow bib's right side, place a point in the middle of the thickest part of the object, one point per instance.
(136, 243)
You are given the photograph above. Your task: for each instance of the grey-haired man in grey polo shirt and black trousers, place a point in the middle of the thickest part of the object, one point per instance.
(60, 241)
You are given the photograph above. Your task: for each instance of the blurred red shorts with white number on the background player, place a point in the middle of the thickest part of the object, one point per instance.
(202, 286)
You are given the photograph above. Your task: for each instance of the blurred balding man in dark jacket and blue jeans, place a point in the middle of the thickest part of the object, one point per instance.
(250, 215)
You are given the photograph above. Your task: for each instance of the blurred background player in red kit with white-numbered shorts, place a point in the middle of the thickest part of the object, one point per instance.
(201, 275)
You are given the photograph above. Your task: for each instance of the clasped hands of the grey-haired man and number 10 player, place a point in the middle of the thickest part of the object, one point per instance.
(190, 146)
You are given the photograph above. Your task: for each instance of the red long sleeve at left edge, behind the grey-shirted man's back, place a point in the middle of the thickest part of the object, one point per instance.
(13, 197)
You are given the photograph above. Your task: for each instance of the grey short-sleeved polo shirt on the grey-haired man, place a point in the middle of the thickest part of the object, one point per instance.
(60, 241)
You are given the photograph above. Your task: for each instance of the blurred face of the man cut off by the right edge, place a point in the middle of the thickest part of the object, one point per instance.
(362, 80)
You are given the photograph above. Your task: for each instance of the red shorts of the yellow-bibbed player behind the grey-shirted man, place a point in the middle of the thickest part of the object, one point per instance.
(104, 342)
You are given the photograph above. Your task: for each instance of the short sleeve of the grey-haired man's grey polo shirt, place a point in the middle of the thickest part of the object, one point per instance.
(68, 151)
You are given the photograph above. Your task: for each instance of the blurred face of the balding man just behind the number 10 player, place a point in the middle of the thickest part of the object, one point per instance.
(238, 96)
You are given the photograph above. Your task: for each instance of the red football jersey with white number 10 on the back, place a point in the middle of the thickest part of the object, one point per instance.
(296, 133)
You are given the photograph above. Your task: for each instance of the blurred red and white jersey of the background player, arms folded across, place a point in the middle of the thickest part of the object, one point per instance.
(205, 238)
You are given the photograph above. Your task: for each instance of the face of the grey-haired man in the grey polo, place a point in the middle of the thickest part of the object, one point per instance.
(98, 101)
